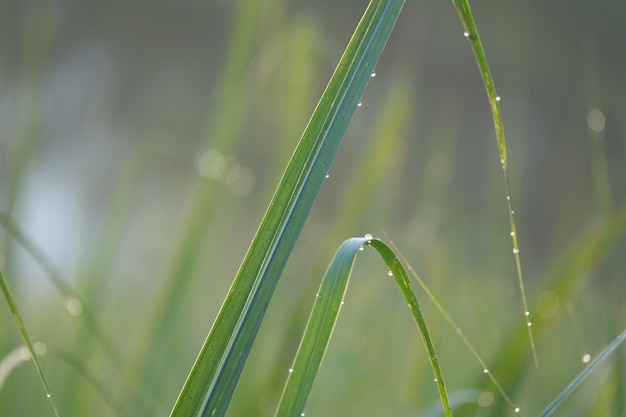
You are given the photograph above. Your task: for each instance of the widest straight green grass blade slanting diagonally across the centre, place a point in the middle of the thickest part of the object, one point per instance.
(212, 380)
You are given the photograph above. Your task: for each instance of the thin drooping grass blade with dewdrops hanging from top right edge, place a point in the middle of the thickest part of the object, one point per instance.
(471, 33)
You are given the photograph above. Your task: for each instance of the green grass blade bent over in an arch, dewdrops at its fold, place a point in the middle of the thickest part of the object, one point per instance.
(324, 316)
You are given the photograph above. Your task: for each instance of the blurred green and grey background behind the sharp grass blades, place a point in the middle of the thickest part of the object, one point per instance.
(139, 148)
